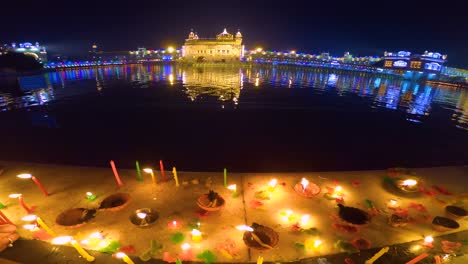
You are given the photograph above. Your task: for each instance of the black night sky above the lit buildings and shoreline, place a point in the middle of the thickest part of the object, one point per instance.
(361, 27)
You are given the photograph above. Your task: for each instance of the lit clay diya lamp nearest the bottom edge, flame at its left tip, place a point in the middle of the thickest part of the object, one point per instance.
(261, 238)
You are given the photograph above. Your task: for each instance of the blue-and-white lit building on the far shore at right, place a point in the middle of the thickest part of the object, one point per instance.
(428, 62)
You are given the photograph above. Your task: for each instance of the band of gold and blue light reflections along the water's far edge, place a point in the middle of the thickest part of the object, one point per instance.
(227, 84)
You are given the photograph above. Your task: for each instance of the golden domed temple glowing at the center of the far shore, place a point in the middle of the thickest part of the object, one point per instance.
(224, 48)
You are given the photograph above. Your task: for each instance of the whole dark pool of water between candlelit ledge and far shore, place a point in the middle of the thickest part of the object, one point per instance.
(245, 119)
